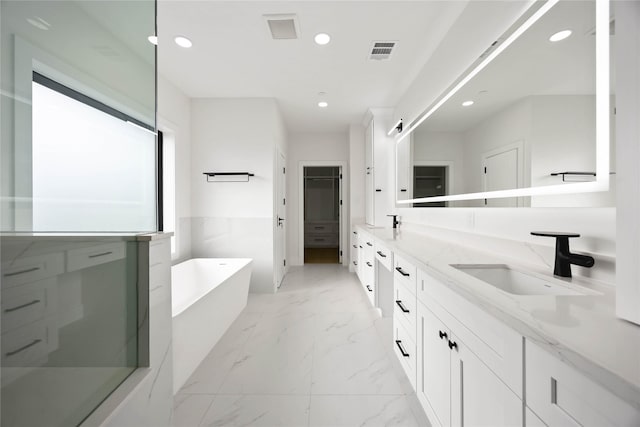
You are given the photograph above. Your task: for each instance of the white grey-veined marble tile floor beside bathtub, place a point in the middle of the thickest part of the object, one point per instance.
(313, 354)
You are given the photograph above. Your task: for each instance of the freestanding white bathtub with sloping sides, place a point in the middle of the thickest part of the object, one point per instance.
(208, 294)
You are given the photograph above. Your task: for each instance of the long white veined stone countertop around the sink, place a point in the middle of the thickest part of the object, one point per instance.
(581, 330)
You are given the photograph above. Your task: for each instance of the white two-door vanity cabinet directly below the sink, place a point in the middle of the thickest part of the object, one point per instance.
(460, 376)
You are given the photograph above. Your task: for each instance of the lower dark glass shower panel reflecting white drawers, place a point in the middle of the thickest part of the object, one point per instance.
(69, 325)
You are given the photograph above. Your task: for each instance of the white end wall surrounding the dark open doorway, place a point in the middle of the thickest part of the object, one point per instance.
(311, 147)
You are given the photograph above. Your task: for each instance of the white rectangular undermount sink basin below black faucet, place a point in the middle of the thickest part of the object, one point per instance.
(517, 282)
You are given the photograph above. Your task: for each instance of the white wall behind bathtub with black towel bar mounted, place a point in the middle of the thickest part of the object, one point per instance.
(235, 219)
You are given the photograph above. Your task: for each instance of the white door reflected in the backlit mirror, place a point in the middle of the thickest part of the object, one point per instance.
(502, 172)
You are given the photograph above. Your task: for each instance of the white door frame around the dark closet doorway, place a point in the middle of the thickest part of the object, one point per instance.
(342, 223)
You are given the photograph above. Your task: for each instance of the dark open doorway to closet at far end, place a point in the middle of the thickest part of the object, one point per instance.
(322, 193)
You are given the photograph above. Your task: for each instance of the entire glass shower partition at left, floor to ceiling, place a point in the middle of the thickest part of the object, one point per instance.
(78, 182)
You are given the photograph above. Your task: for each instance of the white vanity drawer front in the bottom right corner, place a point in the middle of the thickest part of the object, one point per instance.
(561, 396)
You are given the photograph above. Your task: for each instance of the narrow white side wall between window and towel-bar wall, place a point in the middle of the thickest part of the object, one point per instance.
(174, 116)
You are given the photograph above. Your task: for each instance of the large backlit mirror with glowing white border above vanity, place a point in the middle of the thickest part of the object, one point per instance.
(527, 126)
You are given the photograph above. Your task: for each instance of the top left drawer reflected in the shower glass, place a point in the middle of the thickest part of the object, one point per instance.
(31, 269)
